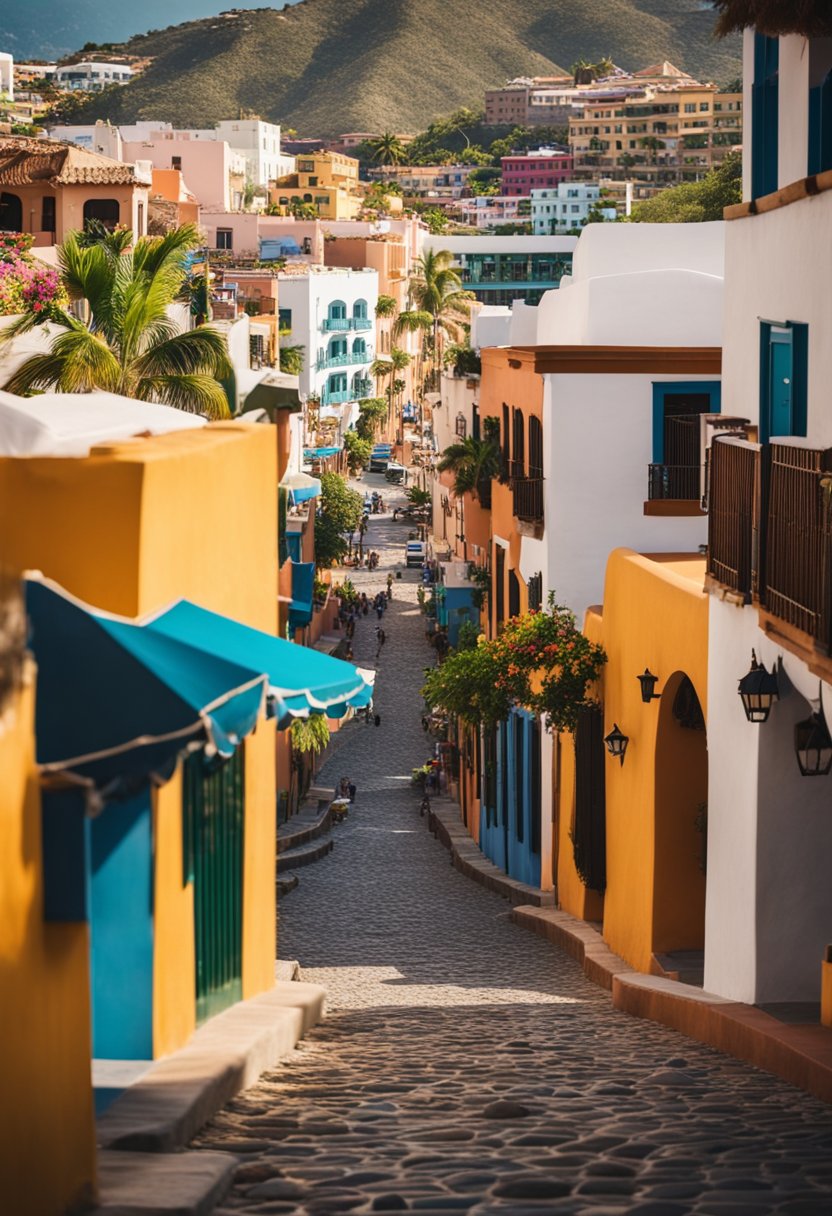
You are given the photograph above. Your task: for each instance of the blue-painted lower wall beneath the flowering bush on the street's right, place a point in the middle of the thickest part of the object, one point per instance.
(509, 840)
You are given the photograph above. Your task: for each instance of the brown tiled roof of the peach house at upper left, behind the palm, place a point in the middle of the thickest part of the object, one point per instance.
(27, 162)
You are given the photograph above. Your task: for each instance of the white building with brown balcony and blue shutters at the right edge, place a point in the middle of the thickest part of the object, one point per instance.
(769, 896)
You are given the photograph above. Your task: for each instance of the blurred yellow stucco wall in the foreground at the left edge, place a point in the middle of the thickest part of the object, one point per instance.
(47, 1105)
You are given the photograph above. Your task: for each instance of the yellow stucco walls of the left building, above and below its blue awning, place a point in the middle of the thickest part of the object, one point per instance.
(133, 528)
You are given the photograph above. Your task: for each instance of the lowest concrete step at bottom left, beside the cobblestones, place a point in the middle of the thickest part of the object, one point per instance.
(162, 1184)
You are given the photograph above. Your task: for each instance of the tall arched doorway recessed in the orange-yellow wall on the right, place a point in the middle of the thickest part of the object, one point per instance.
(681, 830)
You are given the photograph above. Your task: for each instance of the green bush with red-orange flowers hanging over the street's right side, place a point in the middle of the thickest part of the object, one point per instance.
(541, 661)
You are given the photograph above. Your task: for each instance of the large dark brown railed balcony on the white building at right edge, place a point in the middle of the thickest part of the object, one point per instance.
(771, 534)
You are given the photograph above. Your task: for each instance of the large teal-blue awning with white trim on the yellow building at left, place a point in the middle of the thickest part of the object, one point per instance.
(119, 700)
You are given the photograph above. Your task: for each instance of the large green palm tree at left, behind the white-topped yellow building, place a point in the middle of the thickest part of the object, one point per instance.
(128, 345)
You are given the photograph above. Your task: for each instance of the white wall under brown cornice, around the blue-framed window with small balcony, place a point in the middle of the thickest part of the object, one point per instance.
(600, 435)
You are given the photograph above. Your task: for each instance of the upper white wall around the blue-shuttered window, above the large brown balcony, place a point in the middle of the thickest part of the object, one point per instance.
(777, 269)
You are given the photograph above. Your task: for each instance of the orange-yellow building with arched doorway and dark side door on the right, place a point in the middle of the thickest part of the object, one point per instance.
(642, 824)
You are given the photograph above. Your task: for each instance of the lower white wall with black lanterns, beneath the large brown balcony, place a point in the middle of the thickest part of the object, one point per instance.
(769, 897)
